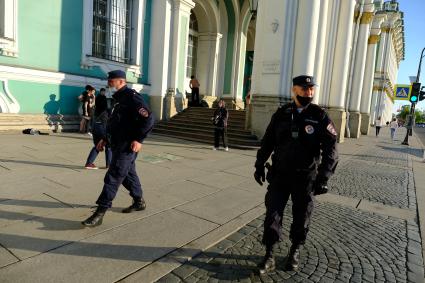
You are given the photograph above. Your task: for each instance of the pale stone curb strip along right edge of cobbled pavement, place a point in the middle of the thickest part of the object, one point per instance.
(415, 263)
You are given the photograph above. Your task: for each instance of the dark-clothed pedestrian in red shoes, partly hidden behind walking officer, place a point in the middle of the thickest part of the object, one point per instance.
(100, 120)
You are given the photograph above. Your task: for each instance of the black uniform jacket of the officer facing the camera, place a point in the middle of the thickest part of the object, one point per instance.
(303, 141)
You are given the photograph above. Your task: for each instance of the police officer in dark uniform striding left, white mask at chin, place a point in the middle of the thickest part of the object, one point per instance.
(129, 124)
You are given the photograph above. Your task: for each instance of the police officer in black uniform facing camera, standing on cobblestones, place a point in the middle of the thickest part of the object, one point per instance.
(303, 140)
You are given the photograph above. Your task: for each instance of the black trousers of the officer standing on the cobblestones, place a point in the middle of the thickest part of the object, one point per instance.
(299, 186)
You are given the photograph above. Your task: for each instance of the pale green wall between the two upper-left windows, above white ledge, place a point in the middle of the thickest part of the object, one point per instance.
(50, 37)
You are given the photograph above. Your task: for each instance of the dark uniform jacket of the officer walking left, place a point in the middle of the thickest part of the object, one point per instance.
(131, 119)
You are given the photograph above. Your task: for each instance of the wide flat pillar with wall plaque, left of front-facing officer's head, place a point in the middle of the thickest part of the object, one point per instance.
(272, 70)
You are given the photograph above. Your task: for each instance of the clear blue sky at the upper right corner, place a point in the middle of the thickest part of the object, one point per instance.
(414, 29)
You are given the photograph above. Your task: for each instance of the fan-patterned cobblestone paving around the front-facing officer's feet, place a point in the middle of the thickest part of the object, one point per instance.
(344, 244)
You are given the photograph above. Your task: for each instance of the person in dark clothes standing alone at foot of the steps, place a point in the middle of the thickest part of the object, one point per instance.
(220, 118)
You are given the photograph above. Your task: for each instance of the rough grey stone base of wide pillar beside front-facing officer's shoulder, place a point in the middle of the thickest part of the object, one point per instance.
(262, 109)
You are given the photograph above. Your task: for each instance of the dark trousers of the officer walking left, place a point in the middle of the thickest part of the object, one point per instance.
(122, 170)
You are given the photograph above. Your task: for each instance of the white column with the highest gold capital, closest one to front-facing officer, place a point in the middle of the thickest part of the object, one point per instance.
(354, 121)
